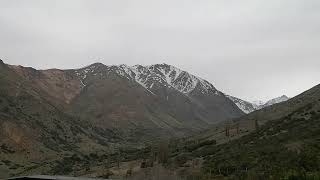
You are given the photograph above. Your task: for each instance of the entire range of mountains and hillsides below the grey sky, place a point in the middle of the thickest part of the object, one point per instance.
(72, 121)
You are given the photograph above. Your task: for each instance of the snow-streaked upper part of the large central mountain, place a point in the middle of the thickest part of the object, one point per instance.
(147, 76)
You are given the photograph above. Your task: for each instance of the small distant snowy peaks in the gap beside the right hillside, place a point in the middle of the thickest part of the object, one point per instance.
(248, 107)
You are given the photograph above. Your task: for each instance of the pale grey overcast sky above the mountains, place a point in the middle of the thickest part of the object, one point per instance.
(252, 49)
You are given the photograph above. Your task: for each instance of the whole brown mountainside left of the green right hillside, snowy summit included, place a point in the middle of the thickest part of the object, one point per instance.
(47, 114)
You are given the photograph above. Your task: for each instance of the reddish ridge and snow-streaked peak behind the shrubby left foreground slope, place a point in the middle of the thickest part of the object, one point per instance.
(141, 97)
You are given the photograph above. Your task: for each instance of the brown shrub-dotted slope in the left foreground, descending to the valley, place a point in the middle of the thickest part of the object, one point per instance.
(32, 129)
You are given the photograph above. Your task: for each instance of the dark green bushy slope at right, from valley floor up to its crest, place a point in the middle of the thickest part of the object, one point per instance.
(280, 141)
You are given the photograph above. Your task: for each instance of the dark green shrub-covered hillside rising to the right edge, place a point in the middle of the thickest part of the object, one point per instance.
(286, 146)
